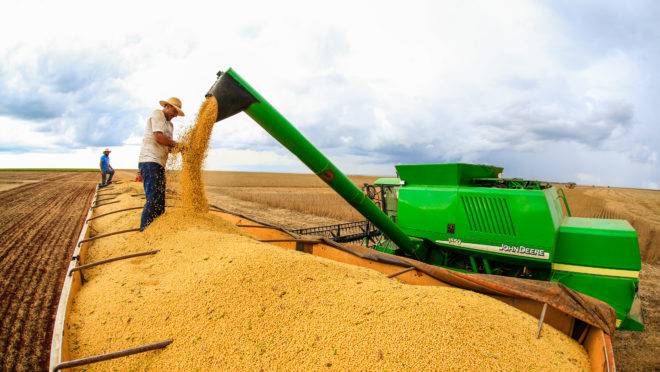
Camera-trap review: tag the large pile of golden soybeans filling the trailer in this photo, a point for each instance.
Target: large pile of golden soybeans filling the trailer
(231, 302)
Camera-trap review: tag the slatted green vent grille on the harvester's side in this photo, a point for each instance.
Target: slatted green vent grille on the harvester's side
(488, 215)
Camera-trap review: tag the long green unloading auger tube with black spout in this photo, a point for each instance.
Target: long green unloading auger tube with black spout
(235, 95)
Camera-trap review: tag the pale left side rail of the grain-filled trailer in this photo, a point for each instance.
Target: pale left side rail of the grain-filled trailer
(62, 307)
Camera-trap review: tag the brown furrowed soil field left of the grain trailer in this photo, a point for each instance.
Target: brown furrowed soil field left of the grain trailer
(41, 214)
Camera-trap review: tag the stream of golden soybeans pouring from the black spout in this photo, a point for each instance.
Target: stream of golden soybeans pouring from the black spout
(196, 142)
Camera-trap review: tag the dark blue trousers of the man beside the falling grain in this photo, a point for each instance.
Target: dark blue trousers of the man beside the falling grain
(153, 179)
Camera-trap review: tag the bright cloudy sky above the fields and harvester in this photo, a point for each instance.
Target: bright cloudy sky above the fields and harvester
(557, 90)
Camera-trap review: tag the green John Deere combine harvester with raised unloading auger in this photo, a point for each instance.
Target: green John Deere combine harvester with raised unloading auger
(465, 217)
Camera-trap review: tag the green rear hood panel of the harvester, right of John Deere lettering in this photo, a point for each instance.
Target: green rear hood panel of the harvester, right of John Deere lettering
(598, 243)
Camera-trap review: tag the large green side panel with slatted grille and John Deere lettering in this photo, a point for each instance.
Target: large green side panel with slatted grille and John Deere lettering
(483, 216)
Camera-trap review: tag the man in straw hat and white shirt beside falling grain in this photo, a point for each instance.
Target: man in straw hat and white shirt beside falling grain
(156, 147)
